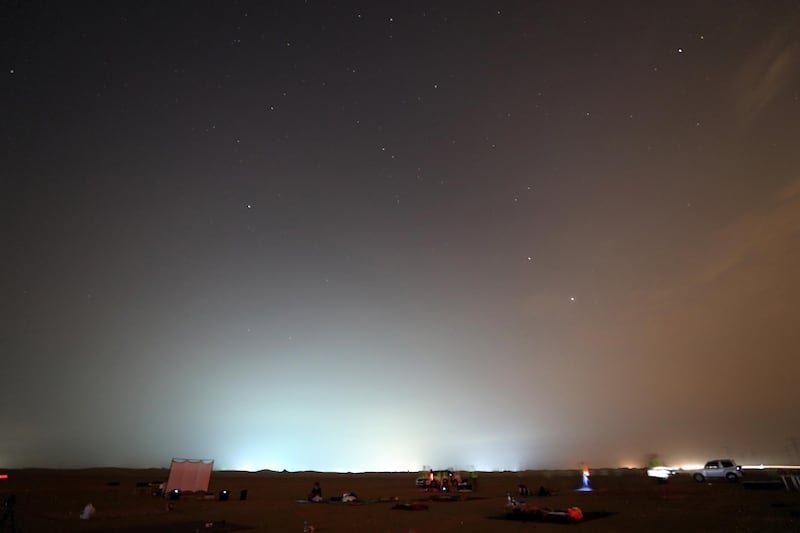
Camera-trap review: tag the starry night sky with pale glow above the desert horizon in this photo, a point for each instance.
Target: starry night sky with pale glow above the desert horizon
(351, 236)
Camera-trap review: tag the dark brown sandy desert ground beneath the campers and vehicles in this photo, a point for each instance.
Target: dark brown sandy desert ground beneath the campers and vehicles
(621, 500)
